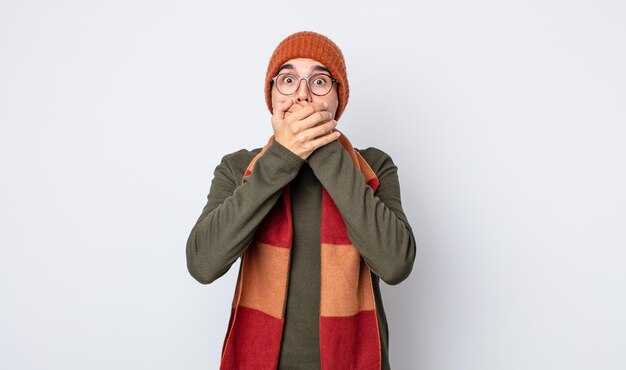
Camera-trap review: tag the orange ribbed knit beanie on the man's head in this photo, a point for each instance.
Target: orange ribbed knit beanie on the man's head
(310, 45)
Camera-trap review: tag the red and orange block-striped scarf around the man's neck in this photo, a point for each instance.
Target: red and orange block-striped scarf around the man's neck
(348, 324)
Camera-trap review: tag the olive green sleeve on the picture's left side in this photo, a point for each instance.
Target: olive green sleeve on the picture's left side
(234, 210)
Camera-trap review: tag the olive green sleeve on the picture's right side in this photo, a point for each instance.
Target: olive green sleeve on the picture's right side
(375, 222)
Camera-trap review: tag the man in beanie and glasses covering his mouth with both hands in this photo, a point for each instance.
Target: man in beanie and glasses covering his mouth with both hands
(315, 221)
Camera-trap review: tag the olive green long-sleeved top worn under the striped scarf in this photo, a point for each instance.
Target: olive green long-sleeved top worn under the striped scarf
(376, 225)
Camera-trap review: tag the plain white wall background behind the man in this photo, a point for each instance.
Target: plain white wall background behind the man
(506, 121)
